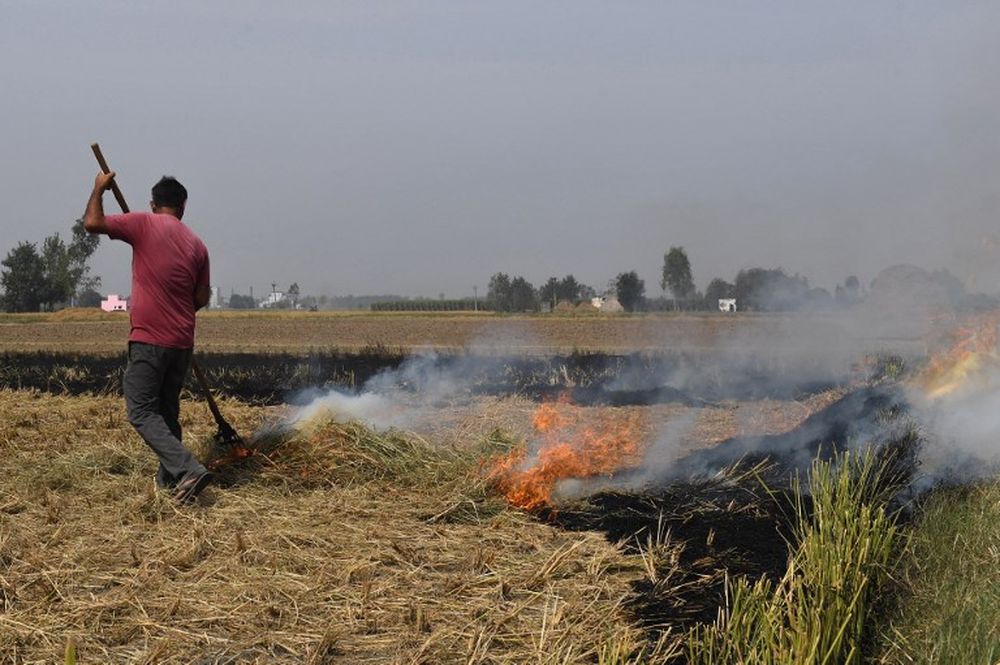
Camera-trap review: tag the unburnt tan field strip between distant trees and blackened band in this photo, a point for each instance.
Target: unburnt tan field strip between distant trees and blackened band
(92, 331)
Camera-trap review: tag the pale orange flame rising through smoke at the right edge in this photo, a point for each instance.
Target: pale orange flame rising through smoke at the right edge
(964, 363)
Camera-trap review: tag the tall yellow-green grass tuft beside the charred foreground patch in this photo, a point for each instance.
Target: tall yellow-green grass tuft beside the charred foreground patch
(817, 612)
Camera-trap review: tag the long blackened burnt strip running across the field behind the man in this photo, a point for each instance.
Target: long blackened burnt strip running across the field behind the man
(590, 379)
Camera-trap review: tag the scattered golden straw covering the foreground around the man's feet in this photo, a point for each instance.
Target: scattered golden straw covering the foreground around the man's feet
(341, 545)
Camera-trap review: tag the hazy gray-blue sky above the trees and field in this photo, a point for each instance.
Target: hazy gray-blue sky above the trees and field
(419, 147)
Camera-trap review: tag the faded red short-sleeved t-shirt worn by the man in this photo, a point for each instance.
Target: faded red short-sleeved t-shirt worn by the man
(168, 263)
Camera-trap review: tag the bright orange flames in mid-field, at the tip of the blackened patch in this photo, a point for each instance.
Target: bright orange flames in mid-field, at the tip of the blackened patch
(566, 448)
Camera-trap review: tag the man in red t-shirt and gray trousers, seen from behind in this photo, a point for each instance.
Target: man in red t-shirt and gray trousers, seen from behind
(169, 283)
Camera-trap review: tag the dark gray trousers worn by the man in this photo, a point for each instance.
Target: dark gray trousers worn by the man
(152, 387)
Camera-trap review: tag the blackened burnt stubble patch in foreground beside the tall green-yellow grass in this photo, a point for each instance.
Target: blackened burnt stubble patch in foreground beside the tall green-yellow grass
(734, 507)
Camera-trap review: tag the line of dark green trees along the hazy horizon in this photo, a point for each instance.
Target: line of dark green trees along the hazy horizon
(56, 273)
